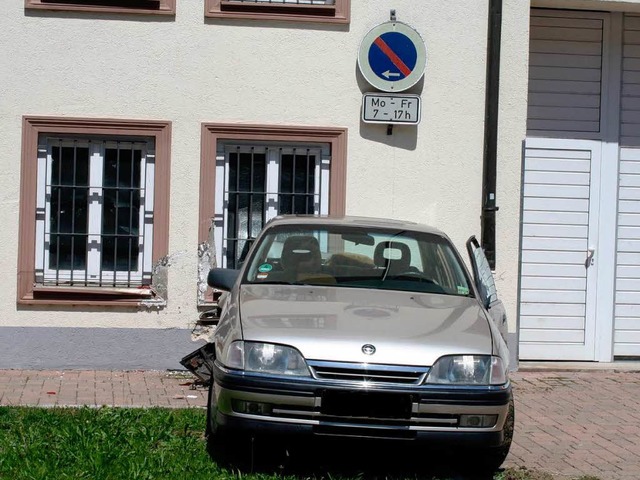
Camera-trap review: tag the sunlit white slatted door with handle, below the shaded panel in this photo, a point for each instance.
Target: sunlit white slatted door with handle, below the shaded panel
(559, 249)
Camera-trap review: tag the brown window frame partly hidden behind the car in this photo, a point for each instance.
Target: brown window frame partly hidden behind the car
(212, 133)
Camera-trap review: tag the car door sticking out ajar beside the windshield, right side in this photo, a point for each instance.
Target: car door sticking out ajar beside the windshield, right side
(486, 285)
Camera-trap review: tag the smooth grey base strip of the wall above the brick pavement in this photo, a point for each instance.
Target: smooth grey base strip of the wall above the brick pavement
(41, 348)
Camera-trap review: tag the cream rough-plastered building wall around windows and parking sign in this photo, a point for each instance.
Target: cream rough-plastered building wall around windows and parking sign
(188, 70)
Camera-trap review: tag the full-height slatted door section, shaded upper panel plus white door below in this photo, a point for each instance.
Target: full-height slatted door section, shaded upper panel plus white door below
(561, 185)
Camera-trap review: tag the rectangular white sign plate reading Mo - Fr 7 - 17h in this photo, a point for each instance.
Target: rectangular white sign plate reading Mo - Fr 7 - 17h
(402, 109)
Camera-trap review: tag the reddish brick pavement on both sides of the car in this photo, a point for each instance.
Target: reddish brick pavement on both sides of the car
(568, 423)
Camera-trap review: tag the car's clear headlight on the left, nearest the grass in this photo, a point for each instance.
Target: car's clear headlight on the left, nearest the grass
(266, 358)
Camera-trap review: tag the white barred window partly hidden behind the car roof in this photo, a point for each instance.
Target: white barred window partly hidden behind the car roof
(262, 181)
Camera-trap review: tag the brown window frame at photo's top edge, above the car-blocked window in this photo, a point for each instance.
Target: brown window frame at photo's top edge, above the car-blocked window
(339, 12)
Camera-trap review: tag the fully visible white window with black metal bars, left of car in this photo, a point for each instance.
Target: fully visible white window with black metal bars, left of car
(94, 217)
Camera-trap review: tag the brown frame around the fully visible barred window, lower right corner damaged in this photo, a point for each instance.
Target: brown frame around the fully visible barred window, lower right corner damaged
(33, 127)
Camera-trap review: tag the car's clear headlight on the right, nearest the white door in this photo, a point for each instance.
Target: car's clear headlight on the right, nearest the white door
(468, 370)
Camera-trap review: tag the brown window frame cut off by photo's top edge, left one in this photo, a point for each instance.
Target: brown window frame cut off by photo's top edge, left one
(165, 7)
